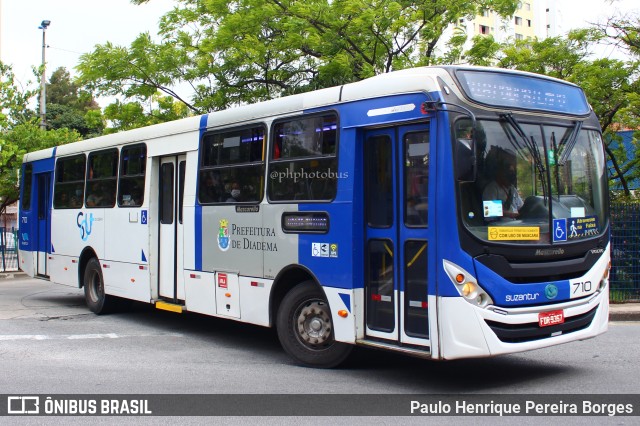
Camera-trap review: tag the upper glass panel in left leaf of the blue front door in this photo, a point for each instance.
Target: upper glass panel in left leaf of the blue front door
(379, 181)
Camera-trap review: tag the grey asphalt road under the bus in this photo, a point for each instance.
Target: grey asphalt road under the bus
(50, 343)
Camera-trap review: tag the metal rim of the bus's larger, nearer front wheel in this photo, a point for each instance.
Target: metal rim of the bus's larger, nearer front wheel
(313, 325)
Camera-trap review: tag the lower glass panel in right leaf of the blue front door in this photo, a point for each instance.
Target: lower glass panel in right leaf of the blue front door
(416, 320)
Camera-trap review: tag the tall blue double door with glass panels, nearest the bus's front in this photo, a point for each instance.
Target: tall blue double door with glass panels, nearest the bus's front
(396, 176)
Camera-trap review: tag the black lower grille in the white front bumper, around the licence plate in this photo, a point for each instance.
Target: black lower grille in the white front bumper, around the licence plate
(517, 333)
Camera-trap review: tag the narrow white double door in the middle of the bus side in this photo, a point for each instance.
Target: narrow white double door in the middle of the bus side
(170, 247)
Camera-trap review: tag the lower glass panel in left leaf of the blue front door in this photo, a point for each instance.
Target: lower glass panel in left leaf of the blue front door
(380, 300)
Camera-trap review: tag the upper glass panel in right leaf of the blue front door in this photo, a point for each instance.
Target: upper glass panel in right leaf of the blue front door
(416, 172)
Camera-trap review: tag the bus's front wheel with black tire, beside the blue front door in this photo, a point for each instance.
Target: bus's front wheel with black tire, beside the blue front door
(305, 328)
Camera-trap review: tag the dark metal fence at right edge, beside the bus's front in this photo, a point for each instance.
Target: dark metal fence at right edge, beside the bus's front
(625, 254)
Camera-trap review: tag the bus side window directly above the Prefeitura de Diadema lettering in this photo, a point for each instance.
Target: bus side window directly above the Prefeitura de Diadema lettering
(232, 169)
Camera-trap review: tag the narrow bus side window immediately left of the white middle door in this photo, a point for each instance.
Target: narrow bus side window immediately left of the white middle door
(133, 161)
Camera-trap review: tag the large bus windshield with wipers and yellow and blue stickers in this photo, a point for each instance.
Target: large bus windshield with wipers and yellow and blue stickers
(533, 177)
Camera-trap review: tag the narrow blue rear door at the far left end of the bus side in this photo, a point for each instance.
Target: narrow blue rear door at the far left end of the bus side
(43, 208)
